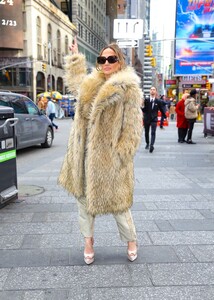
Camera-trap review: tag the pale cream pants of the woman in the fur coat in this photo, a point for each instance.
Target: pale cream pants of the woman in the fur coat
(124, 222)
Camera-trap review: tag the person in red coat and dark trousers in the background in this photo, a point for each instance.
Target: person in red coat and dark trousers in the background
(182, 123)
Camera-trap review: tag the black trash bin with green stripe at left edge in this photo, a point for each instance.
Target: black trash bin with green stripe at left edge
(8, 172)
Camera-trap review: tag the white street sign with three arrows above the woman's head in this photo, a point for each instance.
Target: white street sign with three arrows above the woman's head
(128, 29)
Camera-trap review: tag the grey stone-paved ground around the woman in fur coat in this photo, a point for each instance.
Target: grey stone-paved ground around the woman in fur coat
(41, 249)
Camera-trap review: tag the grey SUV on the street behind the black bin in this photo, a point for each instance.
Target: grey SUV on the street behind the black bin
(33, 127)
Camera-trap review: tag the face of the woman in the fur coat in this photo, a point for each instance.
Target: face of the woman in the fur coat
(109, 68)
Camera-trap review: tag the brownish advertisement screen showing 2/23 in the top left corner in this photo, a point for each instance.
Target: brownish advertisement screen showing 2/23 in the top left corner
(11, 28)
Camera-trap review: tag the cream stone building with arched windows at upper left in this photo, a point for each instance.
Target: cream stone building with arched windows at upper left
(36, 64)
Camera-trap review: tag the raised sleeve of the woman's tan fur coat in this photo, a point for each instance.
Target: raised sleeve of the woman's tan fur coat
(75, 71)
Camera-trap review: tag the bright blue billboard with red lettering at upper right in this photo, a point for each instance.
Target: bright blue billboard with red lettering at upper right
(194, 37)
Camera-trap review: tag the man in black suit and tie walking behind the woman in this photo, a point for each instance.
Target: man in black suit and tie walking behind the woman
(150, 117)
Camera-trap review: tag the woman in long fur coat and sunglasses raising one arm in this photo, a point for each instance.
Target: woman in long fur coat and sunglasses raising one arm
(98, 166)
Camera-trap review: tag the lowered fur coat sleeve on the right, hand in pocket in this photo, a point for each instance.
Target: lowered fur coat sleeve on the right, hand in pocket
(130, 137)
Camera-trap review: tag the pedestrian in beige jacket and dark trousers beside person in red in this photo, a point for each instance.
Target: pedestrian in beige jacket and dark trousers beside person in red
(191, 113)
